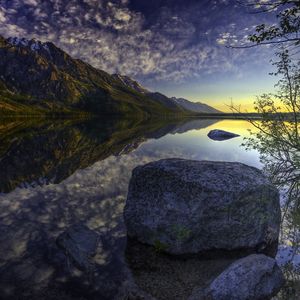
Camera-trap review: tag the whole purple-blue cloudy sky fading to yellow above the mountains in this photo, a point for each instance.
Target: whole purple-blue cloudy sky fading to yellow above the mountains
(176, 47)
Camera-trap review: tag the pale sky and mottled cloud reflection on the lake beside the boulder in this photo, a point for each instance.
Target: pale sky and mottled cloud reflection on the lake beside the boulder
(32, 218)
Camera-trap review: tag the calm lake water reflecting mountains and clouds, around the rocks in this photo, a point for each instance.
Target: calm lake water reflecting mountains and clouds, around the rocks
(56, 173)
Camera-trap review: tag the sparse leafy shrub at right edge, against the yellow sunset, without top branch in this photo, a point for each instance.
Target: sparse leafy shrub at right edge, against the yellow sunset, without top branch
(277, 138)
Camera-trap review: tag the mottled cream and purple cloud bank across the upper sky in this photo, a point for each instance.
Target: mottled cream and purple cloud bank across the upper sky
(170, 44)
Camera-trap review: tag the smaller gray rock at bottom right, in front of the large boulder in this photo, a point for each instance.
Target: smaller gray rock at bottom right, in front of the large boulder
(254, 277)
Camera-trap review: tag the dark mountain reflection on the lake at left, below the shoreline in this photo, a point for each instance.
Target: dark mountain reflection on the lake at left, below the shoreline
(49, 153)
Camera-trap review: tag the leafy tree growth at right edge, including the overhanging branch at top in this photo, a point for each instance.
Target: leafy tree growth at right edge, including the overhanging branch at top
(277, 138)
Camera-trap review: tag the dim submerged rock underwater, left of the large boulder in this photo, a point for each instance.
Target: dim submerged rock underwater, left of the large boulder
(80, 244)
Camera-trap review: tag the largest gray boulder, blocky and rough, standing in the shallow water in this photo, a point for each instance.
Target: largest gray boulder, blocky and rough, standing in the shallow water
(186, 207)
